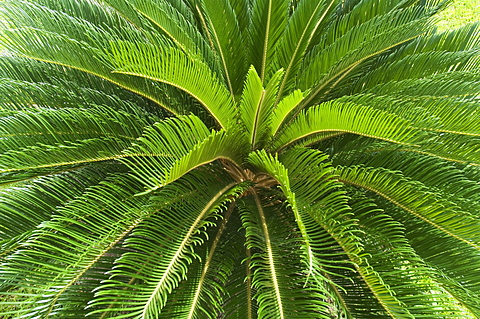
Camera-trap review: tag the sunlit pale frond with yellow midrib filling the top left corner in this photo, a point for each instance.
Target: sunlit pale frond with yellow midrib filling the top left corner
(85, 43)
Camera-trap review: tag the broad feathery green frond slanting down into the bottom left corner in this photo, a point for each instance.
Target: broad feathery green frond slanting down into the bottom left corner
(89, 237)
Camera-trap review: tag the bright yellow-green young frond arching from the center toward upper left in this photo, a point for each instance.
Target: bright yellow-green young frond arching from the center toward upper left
(172, 67)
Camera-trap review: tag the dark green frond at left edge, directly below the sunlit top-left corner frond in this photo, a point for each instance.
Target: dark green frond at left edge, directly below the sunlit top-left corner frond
(30, 83)
